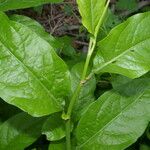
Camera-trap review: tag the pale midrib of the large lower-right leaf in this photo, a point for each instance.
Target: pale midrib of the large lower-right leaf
(112, 119)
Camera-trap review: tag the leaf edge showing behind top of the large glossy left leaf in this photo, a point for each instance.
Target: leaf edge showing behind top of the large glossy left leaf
(38, 28)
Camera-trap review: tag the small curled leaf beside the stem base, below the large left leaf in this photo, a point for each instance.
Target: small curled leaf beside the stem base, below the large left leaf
(54, 127)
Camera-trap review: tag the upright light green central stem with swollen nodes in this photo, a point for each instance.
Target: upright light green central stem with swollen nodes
(91, 48)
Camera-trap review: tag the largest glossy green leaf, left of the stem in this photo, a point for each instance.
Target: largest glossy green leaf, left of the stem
(32, 76)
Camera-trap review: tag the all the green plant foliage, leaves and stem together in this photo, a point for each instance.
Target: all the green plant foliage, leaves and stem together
(55, 97)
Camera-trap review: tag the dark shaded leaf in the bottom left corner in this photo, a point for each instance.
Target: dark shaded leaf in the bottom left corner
(20, 131)
